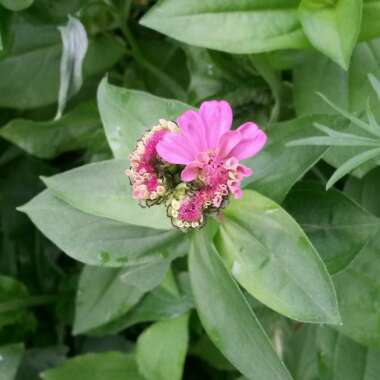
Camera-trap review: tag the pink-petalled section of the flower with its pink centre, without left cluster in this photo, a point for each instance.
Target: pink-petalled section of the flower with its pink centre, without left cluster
(209, 149)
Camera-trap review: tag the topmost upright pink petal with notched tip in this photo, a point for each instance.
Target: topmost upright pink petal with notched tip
(217, 117)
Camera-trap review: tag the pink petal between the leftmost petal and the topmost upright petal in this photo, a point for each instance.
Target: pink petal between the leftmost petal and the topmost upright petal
(193, 129)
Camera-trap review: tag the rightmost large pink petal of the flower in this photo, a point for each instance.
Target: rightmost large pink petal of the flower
(253, 140)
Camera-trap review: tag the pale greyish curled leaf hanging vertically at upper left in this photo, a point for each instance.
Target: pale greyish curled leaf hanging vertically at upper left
(75, 45)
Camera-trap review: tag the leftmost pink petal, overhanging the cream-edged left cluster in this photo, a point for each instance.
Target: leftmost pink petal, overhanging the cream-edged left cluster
(172, 149)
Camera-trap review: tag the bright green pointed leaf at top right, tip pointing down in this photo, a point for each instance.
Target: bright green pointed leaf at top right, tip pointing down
(332, 27)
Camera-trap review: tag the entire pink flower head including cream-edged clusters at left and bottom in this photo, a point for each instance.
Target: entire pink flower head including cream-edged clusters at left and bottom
(194, 167)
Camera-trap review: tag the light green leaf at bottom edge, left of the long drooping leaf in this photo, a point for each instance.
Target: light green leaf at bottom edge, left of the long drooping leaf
(161, 349)
